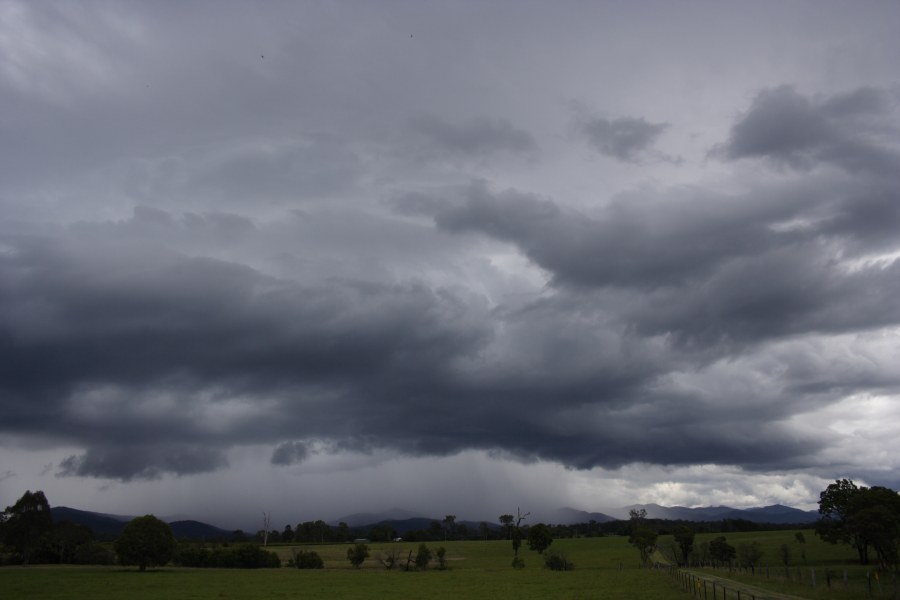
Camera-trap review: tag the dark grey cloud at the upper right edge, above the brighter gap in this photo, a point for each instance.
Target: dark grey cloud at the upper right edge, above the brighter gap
(855, 131)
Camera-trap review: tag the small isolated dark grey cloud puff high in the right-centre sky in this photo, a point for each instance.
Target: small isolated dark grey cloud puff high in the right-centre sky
(627, 139)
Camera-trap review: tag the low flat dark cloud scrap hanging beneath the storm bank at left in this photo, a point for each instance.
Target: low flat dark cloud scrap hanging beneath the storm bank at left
(144, 461)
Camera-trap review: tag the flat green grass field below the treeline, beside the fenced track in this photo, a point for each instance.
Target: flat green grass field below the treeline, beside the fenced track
(604, 568)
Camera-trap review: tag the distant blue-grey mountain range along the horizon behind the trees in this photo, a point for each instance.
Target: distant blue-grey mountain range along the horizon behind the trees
(106, 526)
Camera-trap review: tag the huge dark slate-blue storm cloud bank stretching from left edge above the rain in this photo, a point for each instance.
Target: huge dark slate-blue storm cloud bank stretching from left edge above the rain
(171, 360)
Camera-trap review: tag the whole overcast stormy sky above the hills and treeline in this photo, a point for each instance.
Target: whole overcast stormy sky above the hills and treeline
(318, 258)
